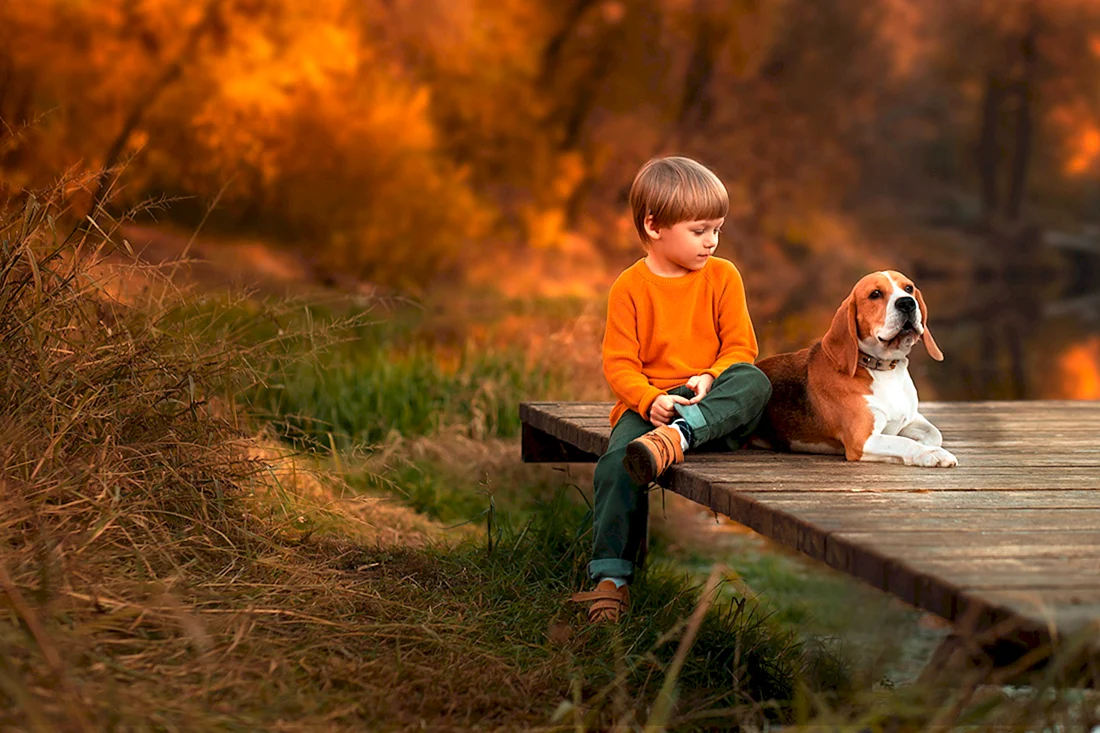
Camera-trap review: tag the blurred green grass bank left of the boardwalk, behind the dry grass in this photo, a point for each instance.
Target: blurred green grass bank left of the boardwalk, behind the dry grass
(384, 380)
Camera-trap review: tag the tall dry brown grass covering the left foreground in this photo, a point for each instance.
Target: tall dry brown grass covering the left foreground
(151, 550)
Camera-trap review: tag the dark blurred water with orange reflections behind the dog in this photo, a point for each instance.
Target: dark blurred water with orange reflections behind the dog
(1026, 329)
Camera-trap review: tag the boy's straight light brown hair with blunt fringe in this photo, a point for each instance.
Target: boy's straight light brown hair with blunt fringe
(675, 190)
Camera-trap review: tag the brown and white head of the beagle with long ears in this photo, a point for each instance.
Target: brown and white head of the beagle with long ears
(884, 316)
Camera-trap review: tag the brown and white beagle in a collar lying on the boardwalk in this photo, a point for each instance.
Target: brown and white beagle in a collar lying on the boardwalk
(851, 392)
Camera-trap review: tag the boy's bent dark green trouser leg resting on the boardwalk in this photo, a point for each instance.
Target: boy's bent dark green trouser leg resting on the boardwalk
(732, 410)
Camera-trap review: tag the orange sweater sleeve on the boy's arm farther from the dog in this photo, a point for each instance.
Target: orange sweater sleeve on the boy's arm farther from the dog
(622, 349)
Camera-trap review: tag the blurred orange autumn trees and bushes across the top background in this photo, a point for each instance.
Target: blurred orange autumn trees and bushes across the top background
(490, 141)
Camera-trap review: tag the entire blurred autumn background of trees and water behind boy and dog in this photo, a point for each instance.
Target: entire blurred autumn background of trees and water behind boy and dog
(474, 157)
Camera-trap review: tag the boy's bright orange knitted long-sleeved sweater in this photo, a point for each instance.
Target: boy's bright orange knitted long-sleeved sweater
(662, 332)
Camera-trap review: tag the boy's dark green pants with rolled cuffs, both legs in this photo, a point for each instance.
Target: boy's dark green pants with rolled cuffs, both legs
(721, 421)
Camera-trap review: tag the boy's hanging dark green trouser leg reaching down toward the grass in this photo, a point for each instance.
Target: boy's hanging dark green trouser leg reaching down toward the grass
(621, 508)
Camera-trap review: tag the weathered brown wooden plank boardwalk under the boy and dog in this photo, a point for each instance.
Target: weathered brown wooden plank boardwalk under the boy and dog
(1009, 540)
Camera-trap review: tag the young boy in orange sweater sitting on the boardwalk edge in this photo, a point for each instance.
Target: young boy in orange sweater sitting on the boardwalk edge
(678, 354)
